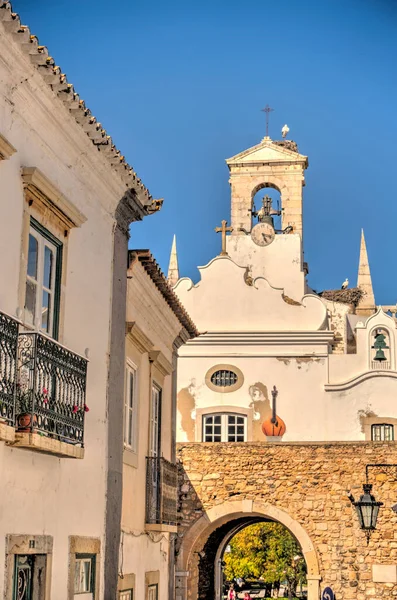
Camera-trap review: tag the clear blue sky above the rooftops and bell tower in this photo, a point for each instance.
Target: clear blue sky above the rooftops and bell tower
(179, 86)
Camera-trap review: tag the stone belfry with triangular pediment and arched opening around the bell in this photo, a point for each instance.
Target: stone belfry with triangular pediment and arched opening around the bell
(275, 164)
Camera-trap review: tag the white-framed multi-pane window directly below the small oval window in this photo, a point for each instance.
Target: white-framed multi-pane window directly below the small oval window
(224, 427)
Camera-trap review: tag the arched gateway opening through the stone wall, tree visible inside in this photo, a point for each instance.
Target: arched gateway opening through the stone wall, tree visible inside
(254, 554)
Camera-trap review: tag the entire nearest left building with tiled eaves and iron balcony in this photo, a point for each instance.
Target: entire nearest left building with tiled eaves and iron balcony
(67, 197)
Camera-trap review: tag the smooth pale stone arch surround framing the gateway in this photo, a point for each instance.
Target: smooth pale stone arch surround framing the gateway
(225, 517)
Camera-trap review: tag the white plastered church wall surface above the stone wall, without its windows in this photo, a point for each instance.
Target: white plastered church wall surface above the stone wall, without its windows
(276, 335)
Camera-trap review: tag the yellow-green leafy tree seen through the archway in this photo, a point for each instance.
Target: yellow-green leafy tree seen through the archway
(267, 551)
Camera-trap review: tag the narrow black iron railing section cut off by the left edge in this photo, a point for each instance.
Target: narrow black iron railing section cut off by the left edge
(8, 367)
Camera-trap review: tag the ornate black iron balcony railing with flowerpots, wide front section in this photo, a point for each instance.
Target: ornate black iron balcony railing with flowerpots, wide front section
(51, 389)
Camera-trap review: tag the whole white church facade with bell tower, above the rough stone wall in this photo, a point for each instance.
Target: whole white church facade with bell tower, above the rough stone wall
(262, 326)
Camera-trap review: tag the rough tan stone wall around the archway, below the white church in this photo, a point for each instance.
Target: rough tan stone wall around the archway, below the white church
(309, 482)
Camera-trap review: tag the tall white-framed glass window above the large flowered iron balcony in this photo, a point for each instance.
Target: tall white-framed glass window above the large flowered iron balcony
(43, 280)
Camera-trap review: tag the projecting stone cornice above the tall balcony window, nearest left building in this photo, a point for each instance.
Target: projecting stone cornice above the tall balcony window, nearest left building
(40, 188)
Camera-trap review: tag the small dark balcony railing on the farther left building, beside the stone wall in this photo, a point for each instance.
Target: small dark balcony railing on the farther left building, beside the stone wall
(161, 491)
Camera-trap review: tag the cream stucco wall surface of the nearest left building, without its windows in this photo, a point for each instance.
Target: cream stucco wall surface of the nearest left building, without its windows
(43, 494)
